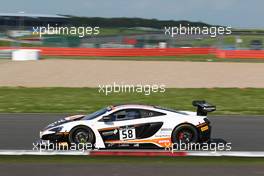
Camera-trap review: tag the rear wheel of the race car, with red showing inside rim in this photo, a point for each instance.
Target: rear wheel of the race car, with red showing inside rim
(185, 134)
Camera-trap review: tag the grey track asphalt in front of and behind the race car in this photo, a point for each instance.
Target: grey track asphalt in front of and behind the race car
(19, 131)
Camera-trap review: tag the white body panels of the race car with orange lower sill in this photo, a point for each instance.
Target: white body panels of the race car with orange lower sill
(161, 138)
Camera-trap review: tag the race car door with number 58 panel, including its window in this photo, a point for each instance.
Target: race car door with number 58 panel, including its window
(128, 125)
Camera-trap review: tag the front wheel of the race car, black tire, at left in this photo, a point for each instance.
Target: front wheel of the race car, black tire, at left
(81, 134)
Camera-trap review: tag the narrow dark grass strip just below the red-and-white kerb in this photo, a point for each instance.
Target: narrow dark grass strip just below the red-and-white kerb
(134, 160)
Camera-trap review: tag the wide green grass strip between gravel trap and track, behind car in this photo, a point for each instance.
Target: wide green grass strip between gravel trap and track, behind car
(230, 101)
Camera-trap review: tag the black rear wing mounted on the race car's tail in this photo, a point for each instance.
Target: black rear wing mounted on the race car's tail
(203, 107)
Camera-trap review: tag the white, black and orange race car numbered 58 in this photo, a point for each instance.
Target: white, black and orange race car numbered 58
(133, 125)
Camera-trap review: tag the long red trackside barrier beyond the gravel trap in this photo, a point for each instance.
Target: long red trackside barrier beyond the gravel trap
(104, 52)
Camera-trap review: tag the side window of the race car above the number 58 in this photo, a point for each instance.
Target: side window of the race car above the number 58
(127, 114)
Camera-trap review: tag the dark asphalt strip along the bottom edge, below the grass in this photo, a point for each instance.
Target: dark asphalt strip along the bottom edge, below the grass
(127, 169)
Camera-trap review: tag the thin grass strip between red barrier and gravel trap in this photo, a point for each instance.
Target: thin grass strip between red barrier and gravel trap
(190, 58)
